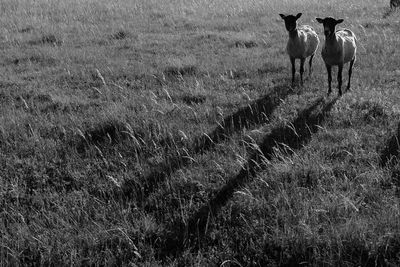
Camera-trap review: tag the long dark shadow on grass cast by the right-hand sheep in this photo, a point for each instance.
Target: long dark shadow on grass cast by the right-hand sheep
(289, 137)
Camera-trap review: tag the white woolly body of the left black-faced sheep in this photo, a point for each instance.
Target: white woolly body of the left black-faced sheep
(303, 43)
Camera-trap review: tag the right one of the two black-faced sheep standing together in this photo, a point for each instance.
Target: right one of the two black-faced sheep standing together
(339, 48)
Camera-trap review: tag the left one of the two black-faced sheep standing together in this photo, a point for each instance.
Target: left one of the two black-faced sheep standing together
(303, 42)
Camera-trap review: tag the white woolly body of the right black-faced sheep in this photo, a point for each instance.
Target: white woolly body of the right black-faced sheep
(340, 48)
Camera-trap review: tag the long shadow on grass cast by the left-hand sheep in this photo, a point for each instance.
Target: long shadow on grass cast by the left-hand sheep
(255, 113)
